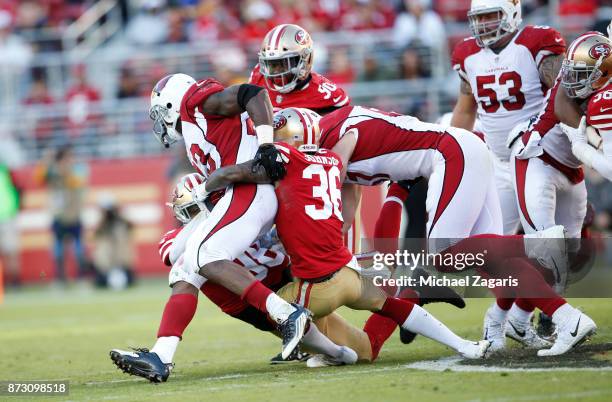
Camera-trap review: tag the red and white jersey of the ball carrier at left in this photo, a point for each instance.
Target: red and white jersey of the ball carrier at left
(214, 141)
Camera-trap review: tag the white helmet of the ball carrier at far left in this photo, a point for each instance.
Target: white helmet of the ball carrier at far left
(165, 108)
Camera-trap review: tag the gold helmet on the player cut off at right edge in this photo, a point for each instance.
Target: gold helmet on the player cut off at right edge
(587, 65)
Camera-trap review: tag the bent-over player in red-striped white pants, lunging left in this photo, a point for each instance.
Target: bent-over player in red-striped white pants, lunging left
(463, 210)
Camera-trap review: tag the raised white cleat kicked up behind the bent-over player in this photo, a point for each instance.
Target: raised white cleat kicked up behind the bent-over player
(549, 248)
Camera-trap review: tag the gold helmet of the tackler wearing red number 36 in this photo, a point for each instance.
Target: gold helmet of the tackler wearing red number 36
(298, 127)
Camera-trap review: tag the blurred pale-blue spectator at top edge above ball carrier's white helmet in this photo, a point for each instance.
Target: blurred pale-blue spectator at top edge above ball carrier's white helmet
(150, 25)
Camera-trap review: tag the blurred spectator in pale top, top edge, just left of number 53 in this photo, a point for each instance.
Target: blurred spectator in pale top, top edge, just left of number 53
(419, 24)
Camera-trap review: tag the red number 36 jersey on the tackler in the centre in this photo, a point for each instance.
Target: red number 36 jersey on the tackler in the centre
(309, 218)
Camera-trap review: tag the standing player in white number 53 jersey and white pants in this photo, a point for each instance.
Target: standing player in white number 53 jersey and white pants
(505, 71)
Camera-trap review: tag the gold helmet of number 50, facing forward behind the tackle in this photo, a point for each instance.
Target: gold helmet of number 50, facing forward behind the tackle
(285, 57)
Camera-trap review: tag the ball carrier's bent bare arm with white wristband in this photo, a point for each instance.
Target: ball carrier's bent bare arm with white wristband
(236, 99)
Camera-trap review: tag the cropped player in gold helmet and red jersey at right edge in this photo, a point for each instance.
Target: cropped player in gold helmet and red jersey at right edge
(586, 78)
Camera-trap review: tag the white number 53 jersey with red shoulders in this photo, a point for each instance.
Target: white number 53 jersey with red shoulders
(507, 86)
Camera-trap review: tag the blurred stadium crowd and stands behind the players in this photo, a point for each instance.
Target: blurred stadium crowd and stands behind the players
(76, 153)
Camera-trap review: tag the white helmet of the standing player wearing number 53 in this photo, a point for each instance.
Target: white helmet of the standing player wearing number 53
(488, 31)
